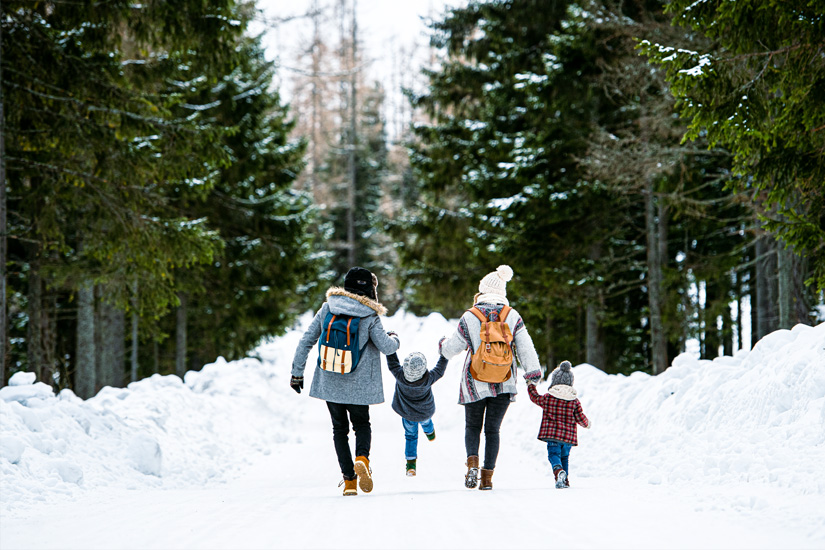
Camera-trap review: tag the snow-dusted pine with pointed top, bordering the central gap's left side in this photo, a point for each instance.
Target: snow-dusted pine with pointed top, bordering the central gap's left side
(259, 281)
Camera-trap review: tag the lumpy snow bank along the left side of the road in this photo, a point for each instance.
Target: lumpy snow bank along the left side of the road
(158, 432)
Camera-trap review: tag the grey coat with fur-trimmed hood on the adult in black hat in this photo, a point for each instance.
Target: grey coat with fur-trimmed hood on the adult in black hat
(363, 386)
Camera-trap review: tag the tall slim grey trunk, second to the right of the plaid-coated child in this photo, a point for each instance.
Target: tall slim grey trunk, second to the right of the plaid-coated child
(654, 285)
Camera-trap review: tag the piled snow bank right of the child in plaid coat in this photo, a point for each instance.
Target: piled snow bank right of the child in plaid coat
(756, 417)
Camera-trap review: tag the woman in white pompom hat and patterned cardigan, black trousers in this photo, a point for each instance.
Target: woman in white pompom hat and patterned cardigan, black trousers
(486, 402)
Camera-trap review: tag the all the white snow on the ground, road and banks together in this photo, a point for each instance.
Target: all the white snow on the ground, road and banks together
(725, 454)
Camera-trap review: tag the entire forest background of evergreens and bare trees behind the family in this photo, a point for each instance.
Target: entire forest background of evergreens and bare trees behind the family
(652, 171)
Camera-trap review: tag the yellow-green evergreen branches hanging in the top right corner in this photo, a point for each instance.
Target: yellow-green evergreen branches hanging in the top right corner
(758, 89)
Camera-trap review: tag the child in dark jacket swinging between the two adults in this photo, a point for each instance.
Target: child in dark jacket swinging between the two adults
(413, 399)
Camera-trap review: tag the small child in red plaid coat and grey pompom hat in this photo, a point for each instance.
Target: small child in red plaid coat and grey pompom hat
(561, 412)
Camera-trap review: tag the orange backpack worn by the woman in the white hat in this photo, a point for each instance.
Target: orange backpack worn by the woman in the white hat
(493, 359)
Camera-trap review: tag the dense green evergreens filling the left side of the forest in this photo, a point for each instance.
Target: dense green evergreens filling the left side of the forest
(147, 159)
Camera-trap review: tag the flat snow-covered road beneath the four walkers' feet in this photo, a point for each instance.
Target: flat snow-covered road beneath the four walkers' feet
(289, 499)
